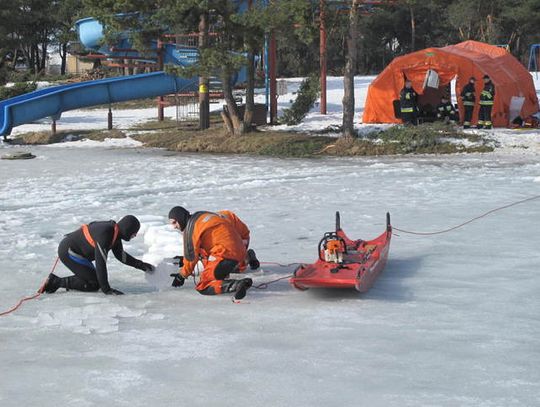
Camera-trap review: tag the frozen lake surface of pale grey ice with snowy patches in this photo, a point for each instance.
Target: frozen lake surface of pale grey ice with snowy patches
(452, 321)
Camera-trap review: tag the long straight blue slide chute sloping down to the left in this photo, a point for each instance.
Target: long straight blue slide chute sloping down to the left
(51, 102)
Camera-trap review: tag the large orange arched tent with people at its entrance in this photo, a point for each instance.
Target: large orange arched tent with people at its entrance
(460, 61)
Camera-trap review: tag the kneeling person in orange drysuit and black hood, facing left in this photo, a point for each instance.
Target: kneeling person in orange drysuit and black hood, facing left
(213, 239)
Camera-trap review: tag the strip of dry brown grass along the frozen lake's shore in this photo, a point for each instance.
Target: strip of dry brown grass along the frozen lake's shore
(432, 139)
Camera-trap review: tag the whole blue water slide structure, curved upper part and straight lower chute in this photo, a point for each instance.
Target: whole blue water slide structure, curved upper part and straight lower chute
(52, 102)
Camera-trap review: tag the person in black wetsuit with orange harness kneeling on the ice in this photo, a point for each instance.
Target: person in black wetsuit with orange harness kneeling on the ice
(90, 243)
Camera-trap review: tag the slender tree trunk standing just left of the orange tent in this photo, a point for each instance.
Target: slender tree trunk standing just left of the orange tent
(348, 77)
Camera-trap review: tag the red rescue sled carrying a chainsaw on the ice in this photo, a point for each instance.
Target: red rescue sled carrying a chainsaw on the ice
(345, 263)
